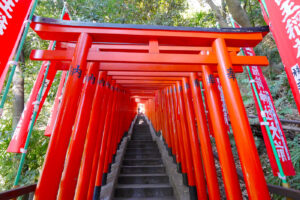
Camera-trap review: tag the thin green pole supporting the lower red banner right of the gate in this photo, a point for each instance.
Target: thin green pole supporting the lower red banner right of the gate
(281, 175)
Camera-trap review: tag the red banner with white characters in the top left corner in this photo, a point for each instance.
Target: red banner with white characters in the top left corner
(12, 16)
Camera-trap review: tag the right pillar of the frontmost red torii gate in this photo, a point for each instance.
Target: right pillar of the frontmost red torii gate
(252, 170)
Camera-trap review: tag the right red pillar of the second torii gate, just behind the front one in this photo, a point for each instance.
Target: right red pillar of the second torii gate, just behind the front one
(230, 178)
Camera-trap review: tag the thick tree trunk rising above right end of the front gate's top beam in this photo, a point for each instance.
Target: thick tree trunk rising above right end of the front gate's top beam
(238, 13)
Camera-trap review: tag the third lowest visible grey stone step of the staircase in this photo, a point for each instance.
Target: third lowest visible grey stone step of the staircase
(141, 169)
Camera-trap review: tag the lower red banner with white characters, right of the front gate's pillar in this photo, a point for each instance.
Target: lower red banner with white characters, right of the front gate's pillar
(273, 120)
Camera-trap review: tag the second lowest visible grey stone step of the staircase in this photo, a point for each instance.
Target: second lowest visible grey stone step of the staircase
(143, 179)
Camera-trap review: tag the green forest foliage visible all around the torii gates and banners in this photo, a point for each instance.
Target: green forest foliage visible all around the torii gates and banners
(156, 12)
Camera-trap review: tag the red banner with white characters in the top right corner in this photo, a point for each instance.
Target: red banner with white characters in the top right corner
(284, 21)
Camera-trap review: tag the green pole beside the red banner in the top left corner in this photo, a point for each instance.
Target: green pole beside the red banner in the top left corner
(16, 60)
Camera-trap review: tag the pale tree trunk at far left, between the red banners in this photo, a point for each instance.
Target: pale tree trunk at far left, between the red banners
(18, 94)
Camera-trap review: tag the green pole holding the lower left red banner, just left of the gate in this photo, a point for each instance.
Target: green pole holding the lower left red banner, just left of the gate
(34, 115)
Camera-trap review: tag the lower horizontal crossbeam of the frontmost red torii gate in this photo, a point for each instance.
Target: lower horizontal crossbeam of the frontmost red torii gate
(146, 58)
